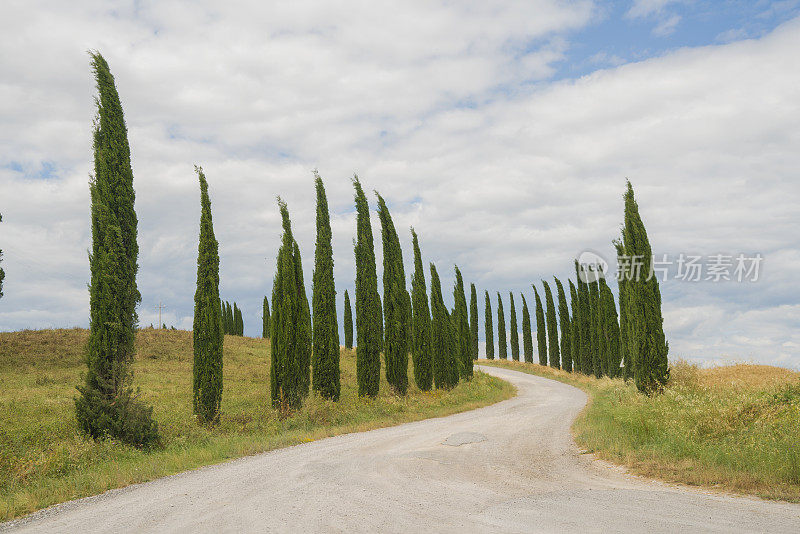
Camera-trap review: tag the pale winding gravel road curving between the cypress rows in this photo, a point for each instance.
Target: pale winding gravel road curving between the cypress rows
(509, 467)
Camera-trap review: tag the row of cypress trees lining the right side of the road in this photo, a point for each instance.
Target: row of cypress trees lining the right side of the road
(594, 339)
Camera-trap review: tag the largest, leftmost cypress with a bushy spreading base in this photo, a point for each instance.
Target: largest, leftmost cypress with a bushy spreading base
(106, 405)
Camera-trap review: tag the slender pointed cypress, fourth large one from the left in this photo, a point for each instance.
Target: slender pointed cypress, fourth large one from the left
(325, 334)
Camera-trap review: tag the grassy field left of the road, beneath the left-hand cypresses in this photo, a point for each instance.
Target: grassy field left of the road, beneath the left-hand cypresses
(44, 460)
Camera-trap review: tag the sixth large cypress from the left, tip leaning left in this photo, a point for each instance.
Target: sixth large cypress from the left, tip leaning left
(395, 309)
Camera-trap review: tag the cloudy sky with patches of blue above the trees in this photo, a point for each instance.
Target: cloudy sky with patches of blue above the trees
(502, 131)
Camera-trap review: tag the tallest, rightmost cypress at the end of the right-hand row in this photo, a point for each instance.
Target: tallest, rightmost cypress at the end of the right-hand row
(645, 322)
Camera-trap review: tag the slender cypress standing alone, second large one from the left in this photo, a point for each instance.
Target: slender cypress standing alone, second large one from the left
(207, 327)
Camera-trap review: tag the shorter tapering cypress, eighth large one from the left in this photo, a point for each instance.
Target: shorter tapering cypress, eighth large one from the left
(444, 345)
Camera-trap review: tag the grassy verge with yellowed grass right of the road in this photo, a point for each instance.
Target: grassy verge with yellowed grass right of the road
(734, 427)
